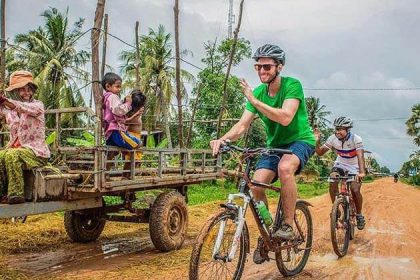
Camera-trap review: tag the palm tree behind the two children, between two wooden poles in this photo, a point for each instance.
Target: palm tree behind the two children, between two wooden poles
(157, 76)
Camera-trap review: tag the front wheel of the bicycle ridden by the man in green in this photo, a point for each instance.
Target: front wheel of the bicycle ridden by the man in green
(205, 263)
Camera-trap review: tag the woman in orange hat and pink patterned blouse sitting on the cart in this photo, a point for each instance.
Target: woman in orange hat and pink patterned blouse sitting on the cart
(26, 148)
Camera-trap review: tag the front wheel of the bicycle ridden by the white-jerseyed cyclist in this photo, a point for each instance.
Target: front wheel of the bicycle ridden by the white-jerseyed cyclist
(340, 227)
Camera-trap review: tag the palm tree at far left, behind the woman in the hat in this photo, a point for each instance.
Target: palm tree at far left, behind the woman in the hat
(50, 53)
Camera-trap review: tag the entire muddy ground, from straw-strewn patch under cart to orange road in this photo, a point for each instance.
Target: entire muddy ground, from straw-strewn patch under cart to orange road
(388, 247)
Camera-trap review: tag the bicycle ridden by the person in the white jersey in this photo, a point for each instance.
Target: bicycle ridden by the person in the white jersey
(343, 215)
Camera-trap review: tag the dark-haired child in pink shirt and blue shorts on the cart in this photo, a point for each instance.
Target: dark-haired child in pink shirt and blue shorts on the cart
(114, 116)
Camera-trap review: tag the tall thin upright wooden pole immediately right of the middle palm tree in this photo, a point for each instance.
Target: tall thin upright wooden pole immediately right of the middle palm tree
(178, 76)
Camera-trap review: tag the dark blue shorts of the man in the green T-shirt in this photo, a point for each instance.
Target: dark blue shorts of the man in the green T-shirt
(299, 148)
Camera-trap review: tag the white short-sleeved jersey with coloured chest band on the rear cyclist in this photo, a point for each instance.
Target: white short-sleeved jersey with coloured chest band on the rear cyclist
(345, 150)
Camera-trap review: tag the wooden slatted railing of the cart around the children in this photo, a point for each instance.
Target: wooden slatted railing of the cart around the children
(85, 167)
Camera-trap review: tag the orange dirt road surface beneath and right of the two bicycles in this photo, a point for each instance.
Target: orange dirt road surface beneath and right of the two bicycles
(388, 247)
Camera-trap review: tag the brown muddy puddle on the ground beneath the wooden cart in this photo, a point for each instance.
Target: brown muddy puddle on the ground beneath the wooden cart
(77, 254)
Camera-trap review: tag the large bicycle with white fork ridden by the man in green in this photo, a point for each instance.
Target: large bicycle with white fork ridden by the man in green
(215, 255)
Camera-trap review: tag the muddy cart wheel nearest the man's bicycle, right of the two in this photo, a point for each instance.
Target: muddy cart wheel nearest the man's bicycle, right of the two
(168, 221)
